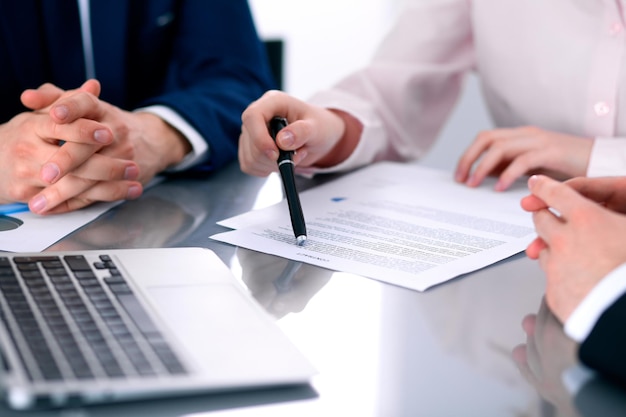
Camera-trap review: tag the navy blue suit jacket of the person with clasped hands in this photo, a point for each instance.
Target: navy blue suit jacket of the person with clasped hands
(202, 58)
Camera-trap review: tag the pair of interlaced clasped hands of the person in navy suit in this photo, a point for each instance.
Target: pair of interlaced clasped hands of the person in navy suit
(74, 149)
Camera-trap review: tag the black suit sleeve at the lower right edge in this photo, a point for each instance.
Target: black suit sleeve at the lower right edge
(605, 348)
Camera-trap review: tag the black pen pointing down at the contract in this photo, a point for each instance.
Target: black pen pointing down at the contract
(285, 166)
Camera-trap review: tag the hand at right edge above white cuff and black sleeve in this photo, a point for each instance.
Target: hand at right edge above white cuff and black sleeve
(577, 247)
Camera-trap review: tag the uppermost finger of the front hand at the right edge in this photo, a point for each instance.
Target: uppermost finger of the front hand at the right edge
(556, 195)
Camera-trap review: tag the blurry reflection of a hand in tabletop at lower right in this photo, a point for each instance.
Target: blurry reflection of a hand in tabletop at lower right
(548, 352)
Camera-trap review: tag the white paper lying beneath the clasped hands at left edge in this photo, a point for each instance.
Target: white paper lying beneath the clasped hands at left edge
(37, 232)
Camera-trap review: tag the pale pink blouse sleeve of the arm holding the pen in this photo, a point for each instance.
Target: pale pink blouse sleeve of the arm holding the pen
(406, 93)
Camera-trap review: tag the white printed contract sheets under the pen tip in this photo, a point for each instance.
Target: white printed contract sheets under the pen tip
(399, 223)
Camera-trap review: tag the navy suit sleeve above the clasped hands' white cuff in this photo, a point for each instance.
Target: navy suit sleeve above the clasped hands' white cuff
(217, 68)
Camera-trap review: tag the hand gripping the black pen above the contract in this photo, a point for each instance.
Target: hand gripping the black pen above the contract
(320, 136)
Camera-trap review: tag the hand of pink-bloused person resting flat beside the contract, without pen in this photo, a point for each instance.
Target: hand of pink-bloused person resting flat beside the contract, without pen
(511, 153)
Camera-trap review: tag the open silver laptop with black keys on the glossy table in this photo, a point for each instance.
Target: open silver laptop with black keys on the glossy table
(98, 326)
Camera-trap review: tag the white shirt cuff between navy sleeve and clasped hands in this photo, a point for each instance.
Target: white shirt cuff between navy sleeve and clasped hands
(200, 148)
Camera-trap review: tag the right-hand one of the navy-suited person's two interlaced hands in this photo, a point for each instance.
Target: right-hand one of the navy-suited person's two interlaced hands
(142, 141)
